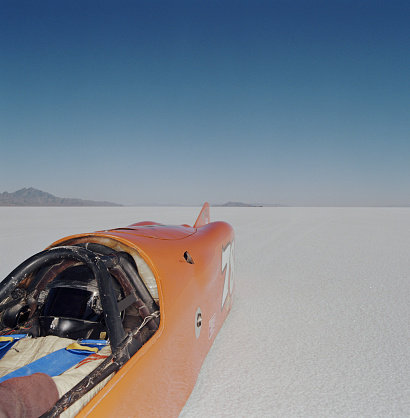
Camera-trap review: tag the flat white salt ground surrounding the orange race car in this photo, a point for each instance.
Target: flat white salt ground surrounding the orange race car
(320, 323)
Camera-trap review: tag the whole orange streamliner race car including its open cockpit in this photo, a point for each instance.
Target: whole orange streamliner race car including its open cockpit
(116, 322)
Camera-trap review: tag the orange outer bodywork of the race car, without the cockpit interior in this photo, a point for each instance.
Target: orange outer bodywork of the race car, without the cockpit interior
(193, 268)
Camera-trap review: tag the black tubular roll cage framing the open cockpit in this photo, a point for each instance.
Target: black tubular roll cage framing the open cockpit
(104, 263)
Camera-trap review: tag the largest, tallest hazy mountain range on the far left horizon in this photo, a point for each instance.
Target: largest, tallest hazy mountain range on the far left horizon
(34, 197)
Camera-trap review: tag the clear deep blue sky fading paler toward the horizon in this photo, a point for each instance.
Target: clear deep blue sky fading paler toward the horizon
(281, 101)
